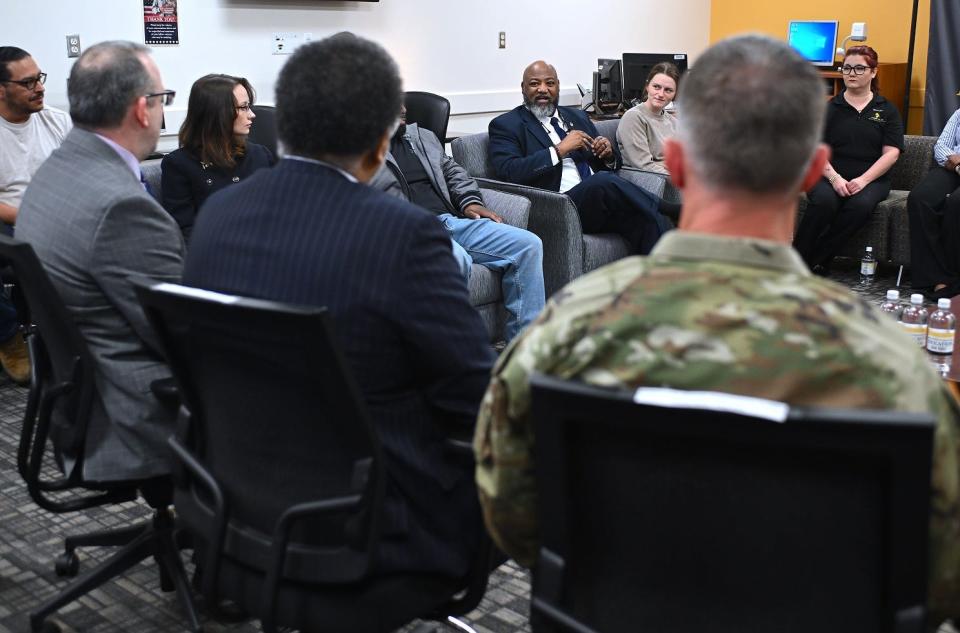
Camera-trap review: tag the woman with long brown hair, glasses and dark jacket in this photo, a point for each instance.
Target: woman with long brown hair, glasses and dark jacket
(214, 151)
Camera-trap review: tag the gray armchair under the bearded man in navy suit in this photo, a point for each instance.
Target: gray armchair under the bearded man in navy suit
(567, 252)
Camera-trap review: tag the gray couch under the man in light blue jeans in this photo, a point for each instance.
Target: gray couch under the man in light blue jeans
(485, 294)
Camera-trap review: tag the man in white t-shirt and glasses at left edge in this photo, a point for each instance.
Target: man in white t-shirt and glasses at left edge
(29, 132)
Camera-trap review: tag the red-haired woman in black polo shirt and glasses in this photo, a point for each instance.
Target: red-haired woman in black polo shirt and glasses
(865, 134)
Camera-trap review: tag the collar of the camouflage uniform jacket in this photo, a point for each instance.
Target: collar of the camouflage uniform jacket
(745, 251)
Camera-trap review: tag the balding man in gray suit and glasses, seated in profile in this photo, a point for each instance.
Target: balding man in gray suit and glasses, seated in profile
(95, 228)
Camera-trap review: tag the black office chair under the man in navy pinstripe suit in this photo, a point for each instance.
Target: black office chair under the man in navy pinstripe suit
(282, 478)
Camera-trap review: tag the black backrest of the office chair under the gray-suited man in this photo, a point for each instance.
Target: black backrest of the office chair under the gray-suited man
(63, 387)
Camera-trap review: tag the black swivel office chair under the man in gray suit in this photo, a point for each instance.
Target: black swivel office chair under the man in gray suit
(54, 433)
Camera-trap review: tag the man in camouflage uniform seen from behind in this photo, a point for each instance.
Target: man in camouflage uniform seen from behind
(724, 303)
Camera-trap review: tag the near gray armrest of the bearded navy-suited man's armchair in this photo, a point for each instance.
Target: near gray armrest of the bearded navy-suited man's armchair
(554, 219)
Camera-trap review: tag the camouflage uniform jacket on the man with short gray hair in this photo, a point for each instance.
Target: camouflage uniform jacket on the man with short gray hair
(734, 315)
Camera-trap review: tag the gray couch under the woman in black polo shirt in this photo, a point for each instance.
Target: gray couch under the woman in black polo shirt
(888, 230)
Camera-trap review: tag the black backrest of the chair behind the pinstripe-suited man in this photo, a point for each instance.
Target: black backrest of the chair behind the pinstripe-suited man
(273, 417)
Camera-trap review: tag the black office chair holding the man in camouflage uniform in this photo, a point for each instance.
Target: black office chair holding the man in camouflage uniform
(675, 518)
